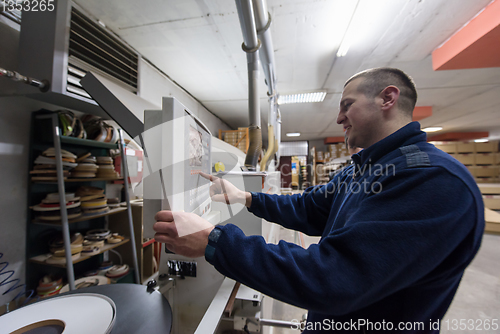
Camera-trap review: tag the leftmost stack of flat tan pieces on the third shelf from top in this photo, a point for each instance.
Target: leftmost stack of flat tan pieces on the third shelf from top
(50, 208)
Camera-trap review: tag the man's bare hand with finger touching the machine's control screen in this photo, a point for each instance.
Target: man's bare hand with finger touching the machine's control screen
(224, 191)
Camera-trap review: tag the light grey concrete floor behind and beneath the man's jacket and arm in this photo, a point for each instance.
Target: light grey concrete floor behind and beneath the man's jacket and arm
(477, 299)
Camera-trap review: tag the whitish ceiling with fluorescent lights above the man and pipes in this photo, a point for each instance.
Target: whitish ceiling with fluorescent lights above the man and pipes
(198, 44)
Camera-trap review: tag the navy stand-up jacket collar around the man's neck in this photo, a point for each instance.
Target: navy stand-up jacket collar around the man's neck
(407, 135)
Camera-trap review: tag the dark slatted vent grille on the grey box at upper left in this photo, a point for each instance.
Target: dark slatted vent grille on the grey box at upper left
(94, 46)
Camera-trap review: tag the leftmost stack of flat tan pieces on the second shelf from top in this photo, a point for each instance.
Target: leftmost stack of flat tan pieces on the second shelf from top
(45, 165)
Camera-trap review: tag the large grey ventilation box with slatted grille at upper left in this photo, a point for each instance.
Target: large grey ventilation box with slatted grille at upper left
(62, 45)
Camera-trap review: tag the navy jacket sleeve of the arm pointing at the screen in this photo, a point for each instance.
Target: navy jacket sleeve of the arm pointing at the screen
(307, 212)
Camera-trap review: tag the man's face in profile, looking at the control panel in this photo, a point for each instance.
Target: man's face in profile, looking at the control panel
(359, 116)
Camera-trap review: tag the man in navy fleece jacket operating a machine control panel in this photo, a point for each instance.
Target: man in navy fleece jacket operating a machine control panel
(398, 228)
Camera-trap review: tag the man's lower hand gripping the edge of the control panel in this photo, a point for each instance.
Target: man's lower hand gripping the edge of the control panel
(183, 233)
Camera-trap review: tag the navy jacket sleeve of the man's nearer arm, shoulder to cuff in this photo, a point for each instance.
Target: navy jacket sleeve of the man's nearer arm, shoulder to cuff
(392, 240)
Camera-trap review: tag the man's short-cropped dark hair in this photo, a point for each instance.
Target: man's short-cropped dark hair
(376, 79)
